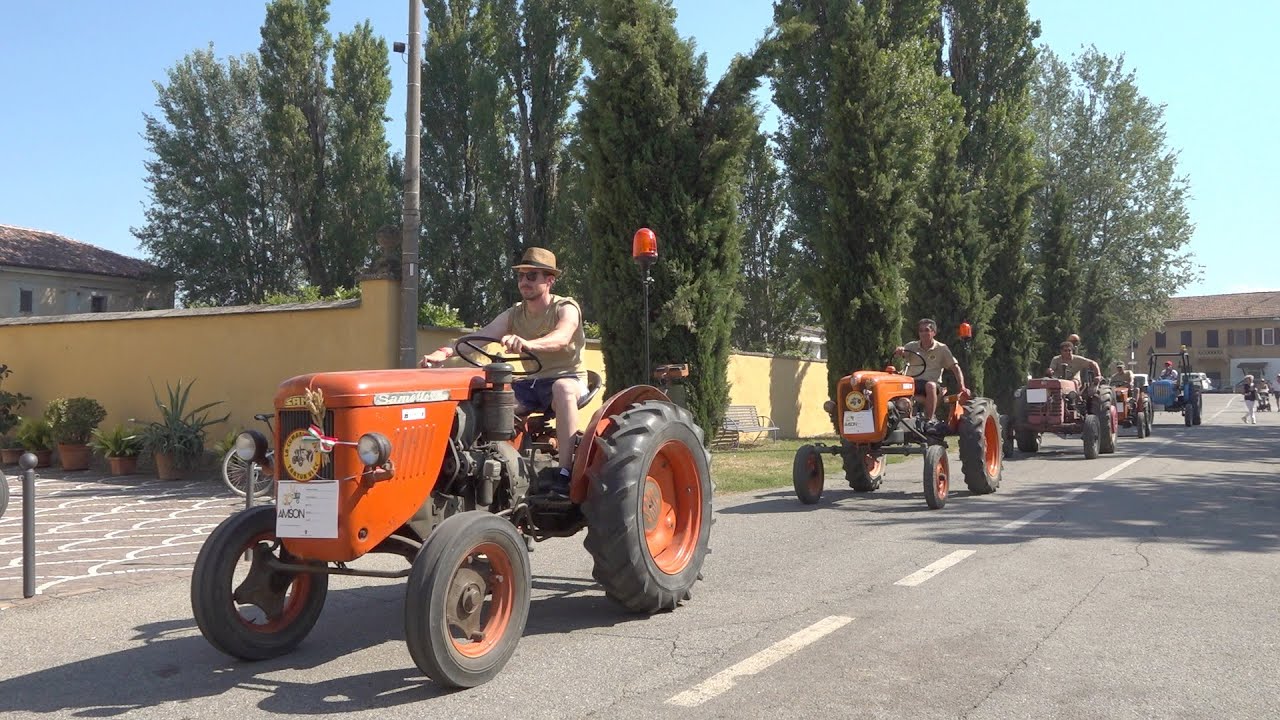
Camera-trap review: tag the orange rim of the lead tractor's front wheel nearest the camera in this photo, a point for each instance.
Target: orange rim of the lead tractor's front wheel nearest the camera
(481, 600)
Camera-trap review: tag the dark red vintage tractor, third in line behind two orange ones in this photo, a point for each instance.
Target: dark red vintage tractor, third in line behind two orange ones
(1064, 408)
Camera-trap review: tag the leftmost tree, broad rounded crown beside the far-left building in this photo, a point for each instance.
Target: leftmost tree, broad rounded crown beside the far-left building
(217, 216)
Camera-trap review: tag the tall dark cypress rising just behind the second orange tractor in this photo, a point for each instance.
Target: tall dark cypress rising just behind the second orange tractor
(853, 83)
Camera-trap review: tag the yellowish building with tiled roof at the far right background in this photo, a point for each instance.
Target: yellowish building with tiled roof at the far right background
(1227, 336)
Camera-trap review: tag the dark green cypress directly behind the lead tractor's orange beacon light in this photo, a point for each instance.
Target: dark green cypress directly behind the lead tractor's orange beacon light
(660, 152)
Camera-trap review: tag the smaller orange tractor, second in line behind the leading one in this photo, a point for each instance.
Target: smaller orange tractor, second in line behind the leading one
(877, 414)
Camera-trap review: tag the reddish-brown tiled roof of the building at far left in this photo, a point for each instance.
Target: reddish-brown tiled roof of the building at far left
(24, 248)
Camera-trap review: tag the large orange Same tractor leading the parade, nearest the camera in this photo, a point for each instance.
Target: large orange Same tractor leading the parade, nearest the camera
(436, 466)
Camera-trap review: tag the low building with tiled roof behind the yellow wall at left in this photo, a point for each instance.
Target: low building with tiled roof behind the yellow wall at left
(44, 274)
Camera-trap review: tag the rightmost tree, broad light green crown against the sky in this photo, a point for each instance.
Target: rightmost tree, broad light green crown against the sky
(1104, 144)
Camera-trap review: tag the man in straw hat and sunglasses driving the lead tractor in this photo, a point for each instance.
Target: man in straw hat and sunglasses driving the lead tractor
(552, 327)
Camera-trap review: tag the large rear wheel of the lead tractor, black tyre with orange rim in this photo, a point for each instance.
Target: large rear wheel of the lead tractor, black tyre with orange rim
(650, 508)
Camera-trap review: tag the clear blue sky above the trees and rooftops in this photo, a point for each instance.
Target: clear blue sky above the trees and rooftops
(76, 79)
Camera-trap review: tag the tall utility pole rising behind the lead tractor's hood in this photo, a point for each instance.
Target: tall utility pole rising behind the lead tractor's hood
(412, 221)
